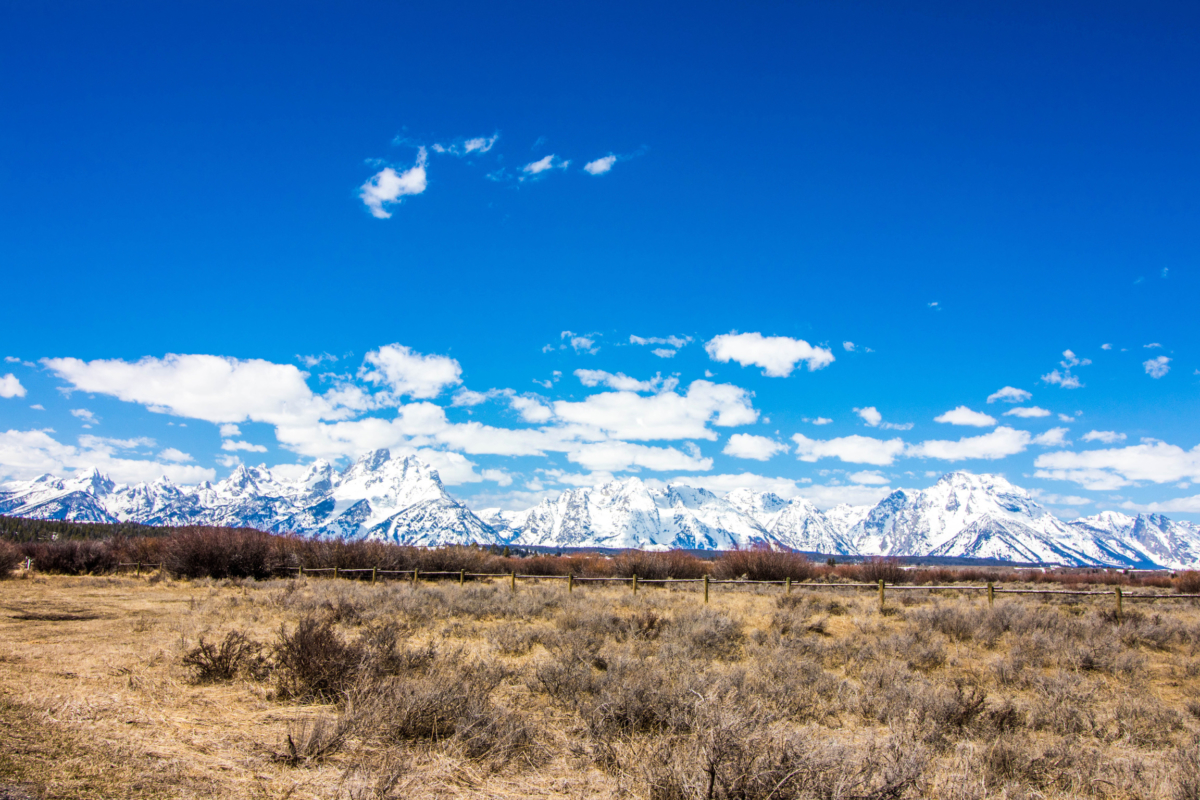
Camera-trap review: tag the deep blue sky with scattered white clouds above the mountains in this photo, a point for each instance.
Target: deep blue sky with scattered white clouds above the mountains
(200, 200)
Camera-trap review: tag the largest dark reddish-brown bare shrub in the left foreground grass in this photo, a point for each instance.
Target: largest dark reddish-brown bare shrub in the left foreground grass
(315, 663)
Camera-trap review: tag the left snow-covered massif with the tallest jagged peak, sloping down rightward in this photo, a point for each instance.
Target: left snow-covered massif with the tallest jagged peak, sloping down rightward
(379, 497)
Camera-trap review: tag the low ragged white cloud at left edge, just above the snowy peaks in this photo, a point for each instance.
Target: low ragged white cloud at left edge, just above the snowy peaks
(29, 454)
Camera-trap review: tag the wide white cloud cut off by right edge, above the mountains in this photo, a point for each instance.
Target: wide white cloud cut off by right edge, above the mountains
(1113, 468)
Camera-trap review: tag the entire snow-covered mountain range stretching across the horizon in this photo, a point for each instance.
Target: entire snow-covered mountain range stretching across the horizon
(403, 501)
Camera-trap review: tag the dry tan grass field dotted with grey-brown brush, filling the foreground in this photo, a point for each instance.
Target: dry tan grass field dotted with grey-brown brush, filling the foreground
(338, 689)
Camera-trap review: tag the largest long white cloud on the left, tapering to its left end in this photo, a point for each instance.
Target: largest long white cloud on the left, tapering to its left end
(208, 388)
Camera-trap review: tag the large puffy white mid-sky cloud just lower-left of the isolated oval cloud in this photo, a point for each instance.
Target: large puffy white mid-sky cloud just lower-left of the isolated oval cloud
(667, 416)
